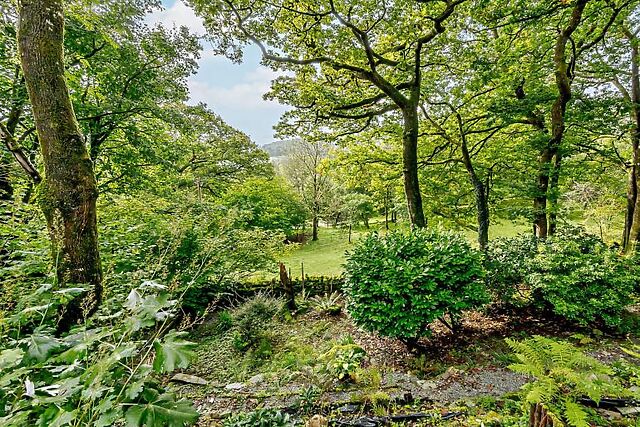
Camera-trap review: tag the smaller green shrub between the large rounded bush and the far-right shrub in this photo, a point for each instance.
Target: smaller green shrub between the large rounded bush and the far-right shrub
(507, 263)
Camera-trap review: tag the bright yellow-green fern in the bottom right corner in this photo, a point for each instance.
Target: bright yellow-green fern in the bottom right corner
(563, 375)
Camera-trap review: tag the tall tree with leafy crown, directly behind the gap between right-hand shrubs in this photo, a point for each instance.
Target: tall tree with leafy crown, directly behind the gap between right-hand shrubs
(582, 25)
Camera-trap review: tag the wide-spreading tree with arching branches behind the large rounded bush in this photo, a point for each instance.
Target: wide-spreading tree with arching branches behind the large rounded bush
(354, 61)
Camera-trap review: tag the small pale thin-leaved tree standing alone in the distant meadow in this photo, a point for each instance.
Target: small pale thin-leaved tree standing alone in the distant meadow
(303, 170)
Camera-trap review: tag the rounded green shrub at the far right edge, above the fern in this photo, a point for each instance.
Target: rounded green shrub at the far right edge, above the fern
(581, 279)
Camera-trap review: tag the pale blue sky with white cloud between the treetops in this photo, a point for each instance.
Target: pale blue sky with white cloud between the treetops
(234, 91)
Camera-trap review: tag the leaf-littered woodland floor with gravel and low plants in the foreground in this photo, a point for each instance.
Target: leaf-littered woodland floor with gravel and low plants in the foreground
(463, 377)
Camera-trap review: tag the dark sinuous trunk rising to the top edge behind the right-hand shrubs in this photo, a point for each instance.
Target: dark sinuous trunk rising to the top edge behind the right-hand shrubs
(563, 77)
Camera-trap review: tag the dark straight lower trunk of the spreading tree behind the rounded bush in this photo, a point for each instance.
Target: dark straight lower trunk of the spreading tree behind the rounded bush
(410, 167)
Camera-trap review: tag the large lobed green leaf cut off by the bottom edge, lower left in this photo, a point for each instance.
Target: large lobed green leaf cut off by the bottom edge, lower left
(163, 411)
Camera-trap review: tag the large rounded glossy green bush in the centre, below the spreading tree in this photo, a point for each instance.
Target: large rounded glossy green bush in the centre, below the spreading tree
(401, 282)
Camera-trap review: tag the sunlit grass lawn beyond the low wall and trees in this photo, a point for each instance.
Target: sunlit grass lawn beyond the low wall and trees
(326, 256)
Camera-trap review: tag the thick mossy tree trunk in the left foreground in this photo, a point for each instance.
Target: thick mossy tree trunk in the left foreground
(69, 189)
